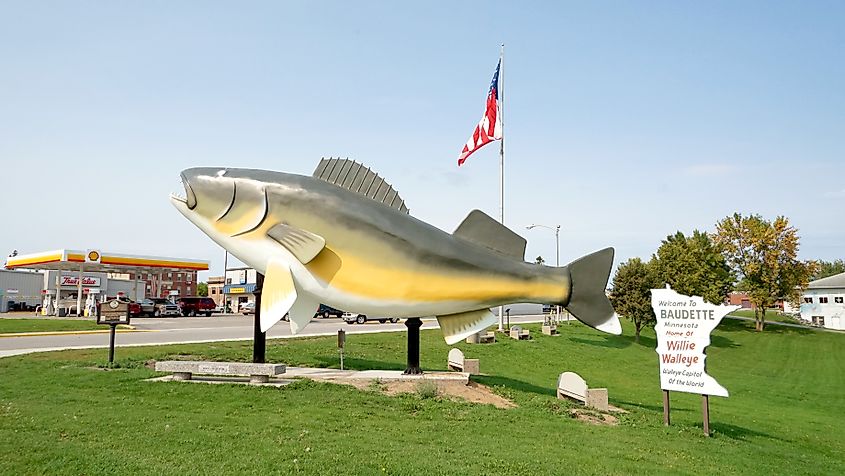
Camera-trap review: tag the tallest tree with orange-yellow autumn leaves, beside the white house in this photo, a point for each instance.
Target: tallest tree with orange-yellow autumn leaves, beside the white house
(764, 256)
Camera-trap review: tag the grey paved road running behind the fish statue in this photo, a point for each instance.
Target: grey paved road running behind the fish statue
(160, 331)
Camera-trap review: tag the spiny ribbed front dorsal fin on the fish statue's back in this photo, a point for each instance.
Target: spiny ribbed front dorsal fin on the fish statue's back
(355, 177)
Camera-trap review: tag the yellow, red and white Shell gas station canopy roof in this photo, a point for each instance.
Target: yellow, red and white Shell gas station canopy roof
(102, 261)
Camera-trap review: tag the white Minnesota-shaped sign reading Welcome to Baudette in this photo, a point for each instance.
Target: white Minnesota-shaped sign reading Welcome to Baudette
(683, 328)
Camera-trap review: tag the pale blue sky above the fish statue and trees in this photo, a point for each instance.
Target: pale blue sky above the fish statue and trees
(624, 121)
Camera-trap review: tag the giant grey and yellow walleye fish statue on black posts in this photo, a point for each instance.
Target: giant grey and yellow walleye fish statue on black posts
(343, 237)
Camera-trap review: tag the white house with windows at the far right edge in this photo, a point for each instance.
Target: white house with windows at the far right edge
(823, 303)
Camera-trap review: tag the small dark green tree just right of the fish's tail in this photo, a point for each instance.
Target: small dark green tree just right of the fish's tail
(631, 293)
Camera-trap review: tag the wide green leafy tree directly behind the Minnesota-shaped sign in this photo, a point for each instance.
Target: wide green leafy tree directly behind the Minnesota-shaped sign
(693, 265)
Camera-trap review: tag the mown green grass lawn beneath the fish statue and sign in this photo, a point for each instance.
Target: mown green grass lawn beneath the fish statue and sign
(62, 413)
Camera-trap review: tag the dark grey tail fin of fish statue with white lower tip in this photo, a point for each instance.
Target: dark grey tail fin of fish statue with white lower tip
(587, 300)
